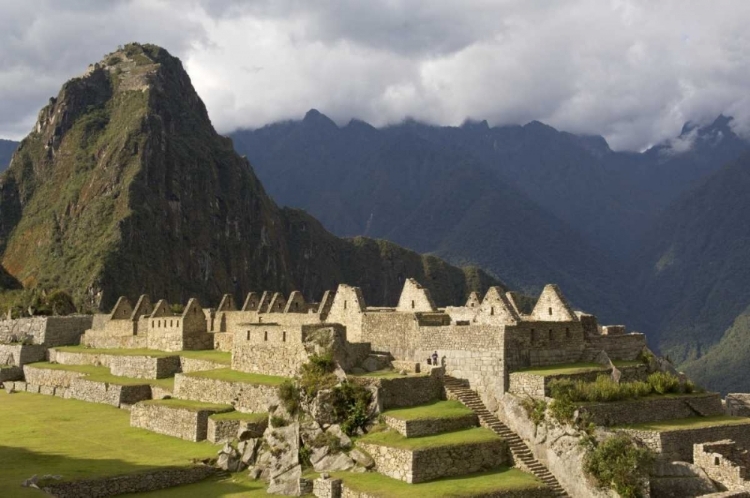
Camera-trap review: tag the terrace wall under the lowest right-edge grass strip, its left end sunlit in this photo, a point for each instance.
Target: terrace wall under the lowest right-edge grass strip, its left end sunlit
(678, 444)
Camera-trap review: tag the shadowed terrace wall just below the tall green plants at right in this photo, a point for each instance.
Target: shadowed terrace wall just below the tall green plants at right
(654, 409)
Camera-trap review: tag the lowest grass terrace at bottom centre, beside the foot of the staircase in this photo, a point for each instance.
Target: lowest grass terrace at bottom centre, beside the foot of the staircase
(502, 479)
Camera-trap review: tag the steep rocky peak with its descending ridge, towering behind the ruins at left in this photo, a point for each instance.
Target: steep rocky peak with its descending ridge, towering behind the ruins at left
(124, 187)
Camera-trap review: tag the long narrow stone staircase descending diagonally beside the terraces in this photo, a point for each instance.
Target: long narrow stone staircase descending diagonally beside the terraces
(520, 451)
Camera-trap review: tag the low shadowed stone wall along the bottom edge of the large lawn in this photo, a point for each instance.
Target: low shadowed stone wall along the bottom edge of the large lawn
(140, 482)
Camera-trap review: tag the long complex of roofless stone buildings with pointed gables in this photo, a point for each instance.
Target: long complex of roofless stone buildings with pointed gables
(482, 341)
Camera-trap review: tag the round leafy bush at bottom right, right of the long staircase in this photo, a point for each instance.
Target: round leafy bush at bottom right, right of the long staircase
(618, 463)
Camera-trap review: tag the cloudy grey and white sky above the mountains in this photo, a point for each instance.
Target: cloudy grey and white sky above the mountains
(633, 71)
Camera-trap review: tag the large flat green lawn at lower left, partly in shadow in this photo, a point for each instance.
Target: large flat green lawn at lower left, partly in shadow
(79, 440)
